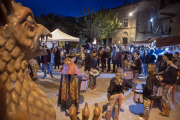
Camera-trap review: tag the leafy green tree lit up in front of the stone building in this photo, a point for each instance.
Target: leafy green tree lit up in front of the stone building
(98, 25)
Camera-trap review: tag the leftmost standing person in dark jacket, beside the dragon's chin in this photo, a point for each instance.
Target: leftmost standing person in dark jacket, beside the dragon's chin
(45, 61)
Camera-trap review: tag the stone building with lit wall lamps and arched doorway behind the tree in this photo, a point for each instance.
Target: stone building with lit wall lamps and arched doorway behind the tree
(139, 22)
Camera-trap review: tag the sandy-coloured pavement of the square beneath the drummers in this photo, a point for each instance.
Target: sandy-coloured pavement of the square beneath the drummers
(129, 110)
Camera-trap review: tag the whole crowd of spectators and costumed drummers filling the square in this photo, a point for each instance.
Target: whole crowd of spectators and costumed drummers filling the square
(160, 71)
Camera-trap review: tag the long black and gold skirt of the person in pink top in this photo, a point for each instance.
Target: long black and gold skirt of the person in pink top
(69, 91)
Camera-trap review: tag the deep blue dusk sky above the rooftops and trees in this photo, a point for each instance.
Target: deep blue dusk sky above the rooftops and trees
(69, 7)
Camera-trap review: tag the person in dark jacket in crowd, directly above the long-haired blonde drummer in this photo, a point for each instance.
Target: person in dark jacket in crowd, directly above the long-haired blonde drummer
(116, 59)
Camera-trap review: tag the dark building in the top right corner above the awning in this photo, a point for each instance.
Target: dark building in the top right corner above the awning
(169, 13)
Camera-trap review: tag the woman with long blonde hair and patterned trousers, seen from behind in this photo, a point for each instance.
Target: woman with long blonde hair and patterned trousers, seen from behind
(115, 94)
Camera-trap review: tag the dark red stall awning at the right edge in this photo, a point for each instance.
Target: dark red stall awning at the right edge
(167, 41)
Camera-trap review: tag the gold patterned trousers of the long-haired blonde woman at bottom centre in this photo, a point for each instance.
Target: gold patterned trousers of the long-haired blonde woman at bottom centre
(114, 102)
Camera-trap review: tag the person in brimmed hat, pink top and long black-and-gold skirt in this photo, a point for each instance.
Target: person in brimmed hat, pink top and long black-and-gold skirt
(69, 84)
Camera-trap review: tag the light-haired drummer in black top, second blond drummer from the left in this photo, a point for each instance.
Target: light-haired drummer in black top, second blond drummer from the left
(150, 89)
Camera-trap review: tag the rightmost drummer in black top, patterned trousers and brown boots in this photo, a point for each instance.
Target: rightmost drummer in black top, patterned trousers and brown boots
(169, 79)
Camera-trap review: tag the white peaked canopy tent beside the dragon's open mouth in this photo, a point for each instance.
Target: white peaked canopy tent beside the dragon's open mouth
(58, 35)
